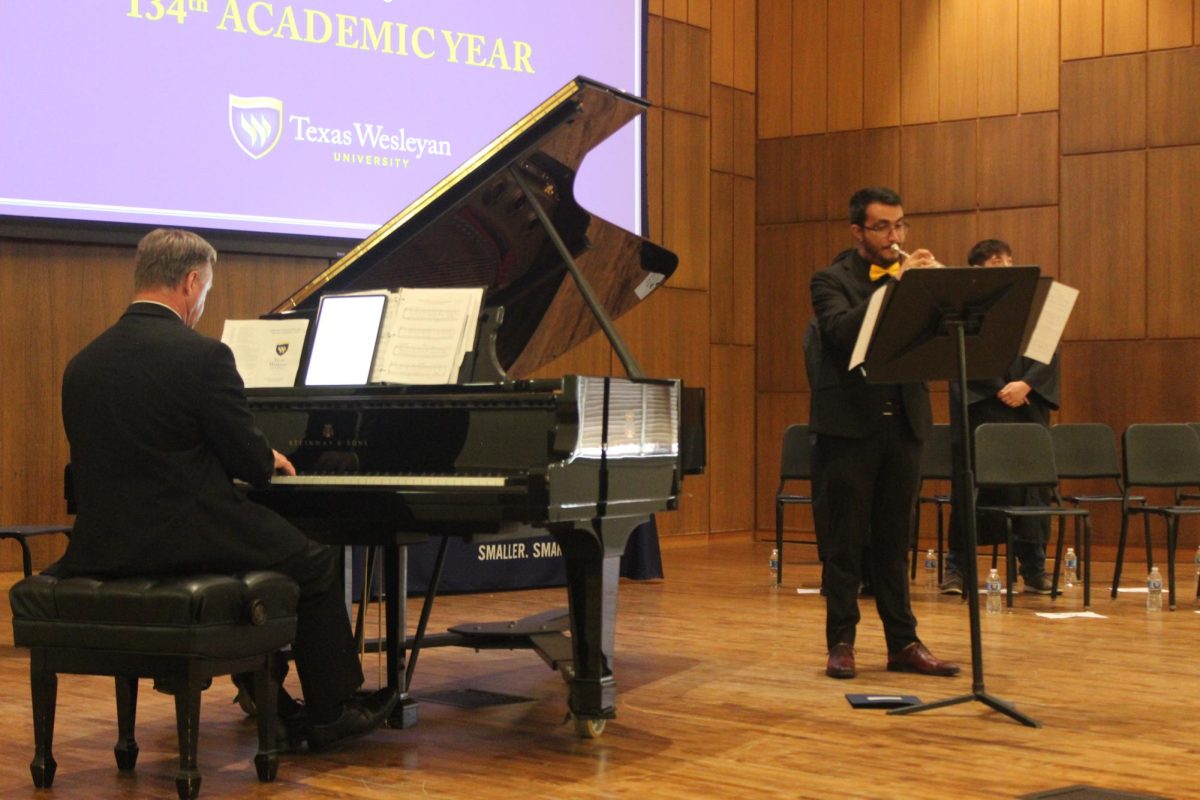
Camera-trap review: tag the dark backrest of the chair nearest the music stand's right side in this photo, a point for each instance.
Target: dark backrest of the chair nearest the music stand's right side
(1015, 454)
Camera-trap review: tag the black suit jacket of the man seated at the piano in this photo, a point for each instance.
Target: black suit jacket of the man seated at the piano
(159, 425)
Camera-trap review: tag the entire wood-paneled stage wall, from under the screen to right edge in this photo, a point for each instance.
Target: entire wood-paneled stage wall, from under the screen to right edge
(1070, 128)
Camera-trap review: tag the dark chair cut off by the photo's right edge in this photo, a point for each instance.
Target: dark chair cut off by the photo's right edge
(1167, 456)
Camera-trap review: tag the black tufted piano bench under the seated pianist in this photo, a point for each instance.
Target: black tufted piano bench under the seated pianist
(181, 631)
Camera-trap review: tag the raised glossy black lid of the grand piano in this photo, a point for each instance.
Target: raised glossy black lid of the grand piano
(477, 228)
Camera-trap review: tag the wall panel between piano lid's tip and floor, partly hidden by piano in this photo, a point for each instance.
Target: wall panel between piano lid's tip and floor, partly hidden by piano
(664, 333)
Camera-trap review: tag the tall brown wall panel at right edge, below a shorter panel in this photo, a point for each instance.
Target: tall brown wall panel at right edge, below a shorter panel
(1173, 178)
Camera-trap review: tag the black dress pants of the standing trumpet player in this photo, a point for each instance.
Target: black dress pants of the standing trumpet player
(865, 496)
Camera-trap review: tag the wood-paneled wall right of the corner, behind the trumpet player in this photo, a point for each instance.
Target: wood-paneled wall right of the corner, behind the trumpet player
(1070, 129)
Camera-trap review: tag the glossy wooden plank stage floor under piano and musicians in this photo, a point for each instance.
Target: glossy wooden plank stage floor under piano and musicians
(722, 695)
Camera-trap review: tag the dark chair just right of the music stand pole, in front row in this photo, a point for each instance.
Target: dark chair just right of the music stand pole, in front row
(1019, 455)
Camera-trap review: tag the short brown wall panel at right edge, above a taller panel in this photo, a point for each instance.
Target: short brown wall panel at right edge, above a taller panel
(1173, 115)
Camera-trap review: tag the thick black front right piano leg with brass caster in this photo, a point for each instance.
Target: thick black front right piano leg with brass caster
(593, 573)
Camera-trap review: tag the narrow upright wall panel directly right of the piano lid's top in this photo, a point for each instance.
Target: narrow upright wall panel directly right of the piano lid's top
(686, 196)
